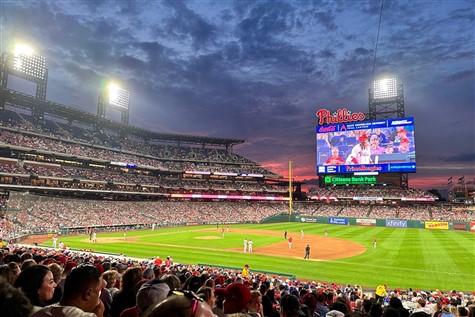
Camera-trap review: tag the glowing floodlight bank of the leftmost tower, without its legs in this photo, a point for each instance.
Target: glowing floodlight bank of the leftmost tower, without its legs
(29, 63)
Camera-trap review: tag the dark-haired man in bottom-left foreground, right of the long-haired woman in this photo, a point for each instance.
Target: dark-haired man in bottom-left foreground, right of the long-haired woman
(81, 295)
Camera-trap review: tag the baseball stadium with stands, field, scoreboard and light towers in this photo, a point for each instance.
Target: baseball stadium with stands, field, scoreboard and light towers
(78, 186)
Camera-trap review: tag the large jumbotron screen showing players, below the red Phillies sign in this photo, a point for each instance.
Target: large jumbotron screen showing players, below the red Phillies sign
(381, 146)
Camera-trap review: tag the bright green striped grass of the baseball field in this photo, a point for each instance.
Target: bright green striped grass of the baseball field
(417, 258)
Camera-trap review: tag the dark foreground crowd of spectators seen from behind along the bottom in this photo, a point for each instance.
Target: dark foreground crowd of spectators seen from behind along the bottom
(38, 281)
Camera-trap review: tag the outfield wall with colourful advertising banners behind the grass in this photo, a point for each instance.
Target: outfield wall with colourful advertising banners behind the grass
(373, 222)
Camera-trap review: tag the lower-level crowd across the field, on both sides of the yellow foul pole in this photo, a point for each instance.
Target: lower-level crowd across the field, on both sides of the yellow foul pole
(33, 214)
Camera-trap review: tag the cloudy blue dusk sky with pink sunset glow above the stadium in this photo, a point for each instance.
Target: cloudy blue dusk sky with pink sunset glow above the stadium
(259, 70)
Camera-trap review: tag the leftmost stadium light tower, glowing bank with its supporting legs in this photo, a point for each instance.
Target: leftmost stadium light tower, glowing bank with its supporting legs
(24, 63)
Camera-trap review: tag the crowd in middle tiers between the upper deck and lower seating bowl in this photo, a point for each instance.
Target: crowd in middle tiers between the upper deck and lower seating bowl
(63, 177)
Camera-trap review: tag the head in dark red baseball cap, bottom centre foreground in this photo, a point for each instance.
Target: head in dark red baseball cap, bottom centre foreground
(236, 298)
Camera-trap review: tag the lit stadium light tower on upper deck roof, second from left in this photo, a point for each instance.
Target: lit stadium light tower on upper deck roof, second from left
(116, 98)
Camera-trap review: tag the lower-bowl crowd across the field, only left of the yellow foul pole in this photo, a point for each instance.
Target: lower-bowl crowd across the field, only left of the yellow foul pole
(46, 215)
